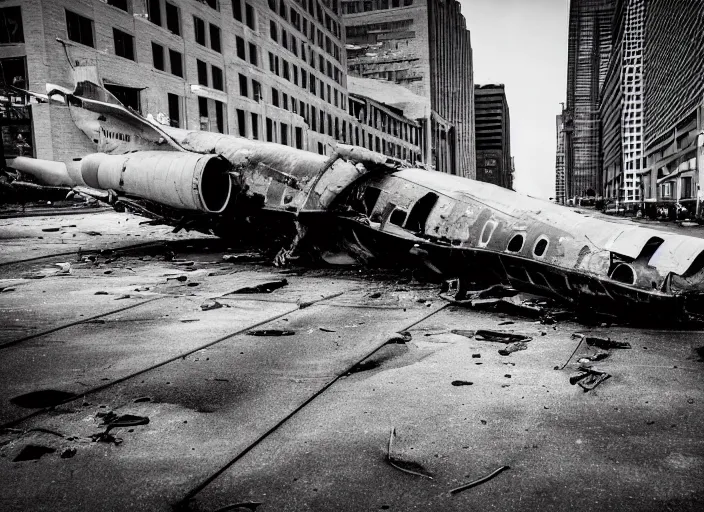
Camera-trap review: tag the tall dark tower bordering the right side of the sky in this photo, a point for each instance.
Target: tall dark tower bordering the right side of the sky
(589, 49)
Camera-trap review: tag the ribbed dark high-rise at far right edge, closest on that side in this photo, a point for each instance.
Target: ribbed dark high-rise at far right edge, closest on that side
(673, 135)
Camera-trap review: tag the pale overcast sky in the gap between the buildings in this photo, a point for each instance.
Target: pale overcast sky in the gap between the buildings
(523, 45)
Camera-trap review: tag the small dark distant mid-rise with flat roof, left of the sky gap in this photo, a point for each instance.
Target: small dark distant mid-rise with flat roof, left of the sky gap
(493, 135)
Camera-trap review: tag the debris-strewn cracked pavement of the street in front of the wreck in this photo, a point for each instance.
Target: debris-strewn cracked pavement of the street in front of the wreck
(139, 370)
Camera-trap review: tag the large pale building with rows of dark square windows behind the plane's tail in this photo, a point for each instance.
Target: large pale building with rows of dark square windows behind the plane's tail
(273, 70)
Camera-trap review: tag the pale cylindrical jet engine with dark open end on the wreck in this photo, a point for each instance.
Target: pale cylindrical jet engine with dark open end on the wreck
(182, 180)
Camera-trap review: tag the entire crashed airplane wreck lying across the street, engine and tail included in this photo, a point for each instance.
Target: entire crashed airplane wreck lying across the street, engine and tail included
(361, 206)
